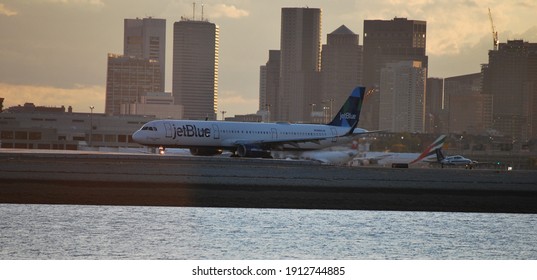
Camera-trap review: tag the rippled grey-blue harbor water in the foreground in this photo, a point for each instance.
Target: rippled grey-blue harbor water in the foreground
(126, 232)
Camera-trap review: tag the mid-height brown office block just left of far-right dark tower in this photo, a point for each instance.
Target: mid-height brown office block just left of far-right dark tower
(466, 106)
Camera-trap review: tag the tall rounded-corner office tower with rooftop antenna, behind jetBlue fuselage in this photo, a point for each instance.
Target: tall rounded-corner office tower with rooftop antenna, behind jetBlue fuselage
(195, 68)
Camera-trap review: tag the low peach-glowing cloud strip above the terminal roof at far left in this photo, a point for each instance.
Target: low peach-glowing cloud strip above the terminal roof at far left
(79, 97)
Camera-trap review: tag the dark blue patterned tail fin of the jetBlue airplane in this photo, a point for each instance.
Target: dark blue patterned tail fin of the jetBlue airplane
(349, 114)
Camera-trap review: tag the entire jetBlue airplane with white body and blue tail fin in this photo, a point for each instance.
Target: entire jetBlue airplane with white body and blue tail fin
(252, 139)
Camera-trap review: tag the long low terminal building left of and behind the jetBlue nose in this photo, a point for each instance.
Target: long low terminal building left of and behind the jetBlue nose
(31, 127)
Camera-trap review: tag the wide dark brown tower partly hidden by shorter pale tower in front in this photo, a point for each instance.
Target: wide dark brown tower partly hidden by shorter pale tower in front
(388, 41)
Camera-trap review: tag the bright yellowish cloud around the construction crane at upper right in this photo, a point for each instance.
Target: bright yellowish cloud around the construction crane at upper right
(453, 25)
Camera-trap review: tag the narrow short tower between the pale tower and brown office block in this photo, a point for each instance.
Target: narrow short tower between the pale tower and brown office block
(435, 115)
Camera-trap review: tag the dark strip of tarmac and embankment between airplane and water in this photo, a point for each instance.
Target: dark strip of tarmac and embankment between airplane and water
(77, 177)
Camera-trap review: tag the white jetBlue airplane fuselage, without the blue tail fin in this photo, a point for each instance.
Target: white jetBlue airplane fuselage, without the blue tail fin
(228, 135)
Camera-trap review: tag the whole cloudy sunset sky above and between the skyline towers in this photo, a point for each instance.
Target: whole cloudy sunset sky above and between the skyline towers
(54, 52)
